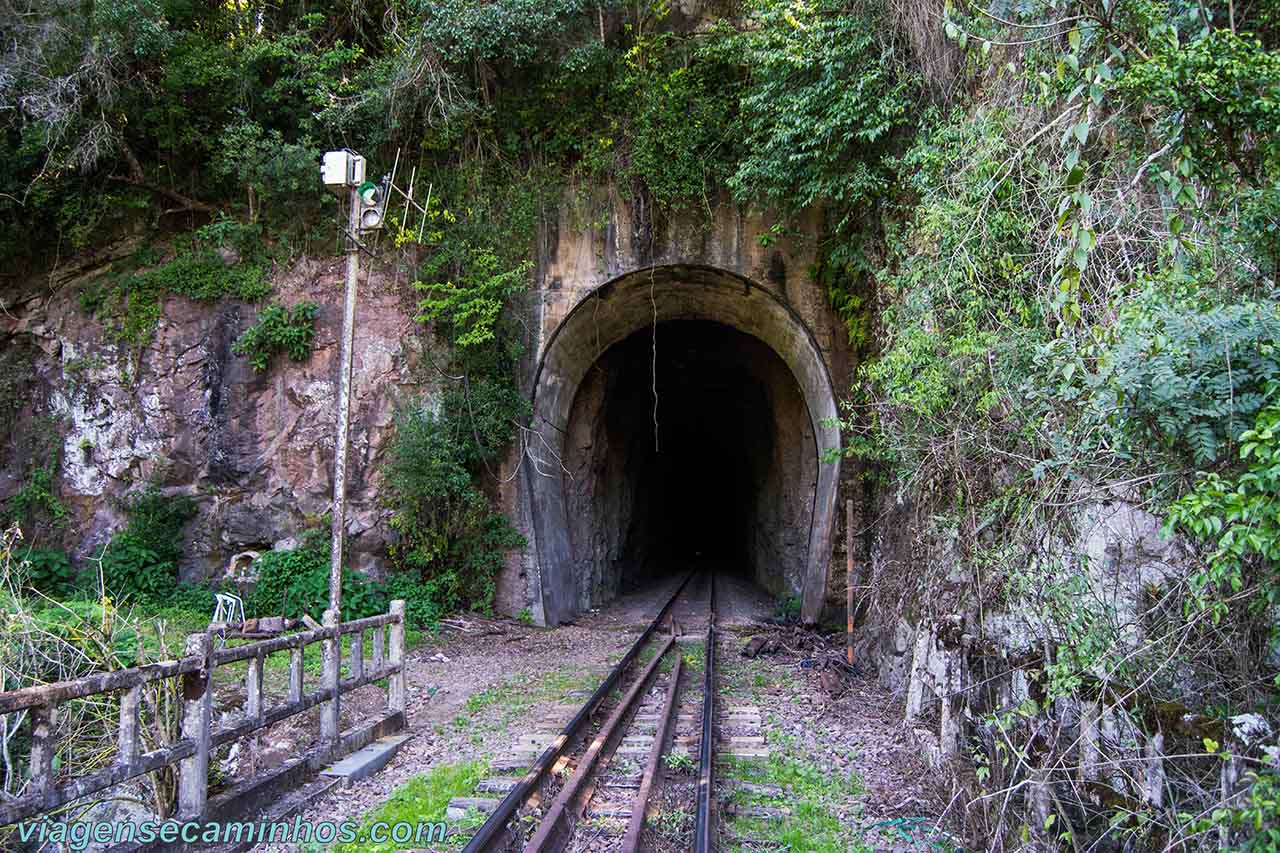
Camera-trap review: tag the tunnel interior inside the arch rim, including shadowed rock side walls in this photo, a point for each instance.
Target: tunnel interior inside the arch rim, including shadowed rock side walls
(700, 481)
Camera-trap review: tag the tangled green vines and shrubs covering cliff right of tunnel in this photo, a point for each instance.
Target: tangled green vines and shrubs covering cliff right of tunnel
(1078, 316)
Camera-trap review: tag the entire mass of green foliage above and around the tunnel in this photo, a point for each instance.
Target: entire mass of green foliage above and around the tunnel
(1052, 229)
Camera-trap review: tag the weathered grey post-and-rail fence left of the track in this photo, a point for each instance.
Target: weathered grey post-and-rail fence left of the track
(47, 792)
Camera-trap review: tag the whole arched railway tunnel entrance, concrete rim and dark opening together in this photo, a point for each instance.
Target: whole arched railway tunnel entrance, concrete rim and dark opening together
(683, 414)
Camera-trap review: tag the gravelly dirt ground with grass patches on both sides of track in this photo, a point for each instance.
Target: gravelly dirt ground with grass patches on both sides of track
(479, 687)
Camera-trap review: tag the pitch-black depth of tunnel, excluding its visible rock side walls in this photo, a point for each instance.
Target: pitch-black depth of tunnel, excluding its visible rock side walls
(697, 458)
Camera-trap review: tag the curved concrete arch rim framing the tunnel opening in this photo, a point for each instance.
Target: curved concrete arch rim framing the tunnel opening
(615, 312)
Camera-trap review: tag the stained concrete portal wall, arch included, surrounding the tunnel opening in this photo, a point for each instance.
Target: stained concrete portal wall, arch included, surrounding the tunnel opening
(597, 288)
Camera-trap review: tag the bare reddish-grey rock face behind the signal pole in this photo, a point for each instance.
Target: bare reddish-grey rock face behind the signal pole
(255, 450)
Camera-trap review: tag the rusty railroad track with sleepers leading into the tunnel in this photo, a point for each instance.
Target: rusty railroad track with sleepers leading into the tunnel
(636, 763)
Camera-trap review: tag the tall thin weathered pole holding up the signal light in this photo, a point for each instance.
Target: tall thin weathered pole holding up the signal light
(340, 451)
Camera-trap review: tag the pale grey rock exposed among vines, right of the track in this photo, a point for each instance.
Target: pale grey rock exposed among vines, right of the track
(959, 651)
